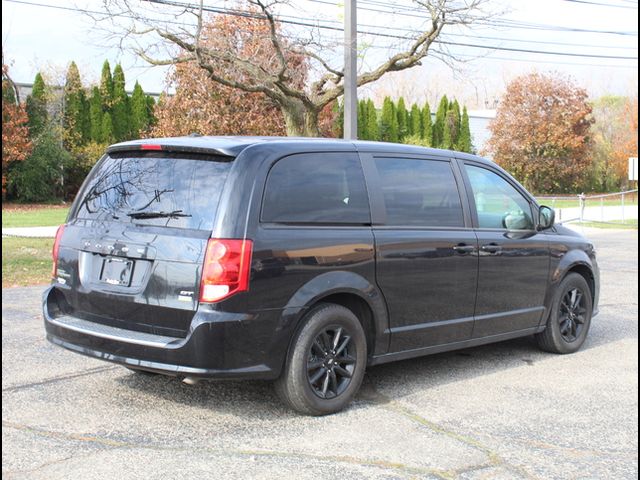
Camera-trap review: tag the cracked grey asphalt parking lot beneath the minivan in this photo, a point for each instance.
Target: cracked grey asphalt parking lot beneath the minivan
(500, 411)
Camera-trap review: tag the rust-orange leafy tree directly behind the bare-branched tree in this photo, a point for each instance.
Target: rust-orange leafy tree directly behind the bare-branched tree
(203, 105)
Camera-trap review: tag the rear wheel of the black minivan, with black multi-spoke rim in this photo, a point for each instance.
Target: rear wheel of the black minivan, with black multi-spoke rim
(326, 362)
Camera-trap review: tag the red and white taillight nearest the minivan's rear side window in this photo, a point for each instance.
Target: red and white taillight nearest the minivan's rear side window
(226, 269)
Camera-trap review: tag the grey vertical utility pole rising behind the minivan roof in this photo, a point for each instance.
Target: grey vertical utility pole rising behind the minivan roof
(350, 71)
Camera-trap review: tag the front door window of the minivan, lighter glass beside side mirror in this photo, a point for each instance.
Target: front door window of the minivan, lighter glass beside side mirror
(498, 203)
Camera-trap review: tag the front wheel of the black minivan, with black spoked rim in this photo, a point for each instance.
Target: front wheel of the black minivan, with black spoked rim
(570, 316)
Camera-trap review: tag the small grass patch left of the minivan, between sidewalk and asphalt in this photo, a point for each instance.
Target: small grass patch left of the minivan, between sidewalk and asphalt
(26, 261)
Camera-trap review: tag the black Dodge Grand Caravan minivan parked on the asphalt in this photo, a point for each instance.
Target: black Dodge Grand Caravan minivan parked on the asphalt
(306, 260)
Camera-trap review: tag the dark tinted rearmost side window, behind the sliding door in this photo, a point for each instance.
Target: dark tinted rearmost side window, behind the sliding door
(316, 188)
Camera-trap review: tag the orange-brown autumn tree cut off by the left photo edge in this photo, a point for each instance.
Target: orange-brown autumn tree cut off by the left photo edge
(16, 145)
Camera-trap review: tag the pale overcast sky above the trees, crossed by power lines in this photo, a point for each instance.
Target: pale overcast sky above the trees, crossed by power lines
(35, 37)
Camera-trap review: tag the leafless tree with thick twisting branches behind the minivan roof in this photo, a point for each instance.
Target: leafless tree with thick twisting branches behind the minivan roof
(272, 65)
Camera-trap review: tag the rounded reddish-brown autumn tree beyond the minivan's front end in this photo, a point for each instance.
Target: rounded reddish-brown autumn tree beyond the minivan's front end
(541, 133)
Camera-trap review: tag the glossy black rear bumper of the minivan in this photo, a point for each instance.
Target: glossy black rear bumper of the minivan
(218, 344)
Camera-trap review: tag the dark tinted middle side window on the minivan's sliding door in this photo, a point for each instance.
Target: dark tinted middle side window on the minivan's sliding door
(420, 193)
